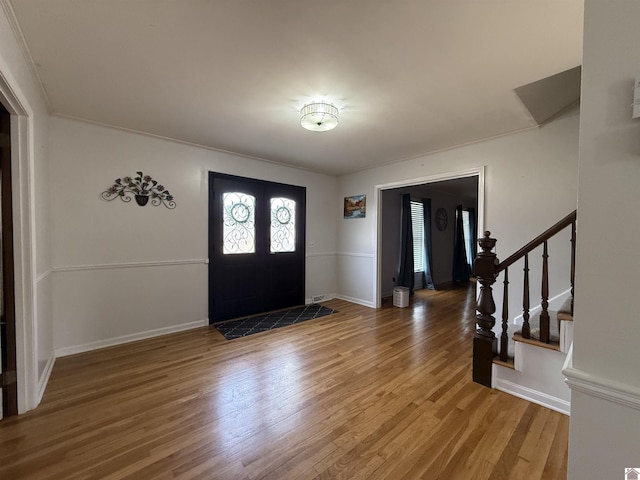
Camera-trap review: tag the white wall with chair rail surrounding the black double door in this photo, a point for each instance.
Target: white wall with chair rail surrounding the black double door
(122, 271)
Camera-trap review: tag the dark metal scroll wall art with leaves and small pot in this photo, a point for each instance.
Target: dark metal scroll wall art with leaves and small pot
(141, 188)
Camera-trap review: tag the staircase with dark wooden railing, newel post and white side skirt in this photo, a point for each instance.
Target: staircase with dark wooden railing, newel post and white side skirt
(526, 355)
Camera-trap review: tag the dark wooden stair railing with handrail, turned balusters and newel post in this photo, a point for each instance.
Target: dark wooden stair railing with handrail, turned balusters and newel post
(486, 268)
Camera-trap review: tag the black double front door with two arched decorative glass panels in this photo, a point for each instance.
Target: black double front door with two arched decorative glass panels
(256, 246)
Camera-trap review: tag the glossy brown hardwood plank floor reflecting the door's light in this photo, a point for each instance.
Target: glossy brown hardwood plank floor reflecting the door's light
(361, 394)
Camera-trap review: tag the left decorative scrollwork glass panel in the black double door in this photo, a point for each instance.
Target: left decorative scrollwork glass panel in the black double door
(238, 218)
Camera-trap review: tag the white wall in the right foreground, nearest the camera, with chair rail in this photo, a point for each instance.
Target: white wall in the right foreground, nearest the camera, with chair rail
(605, 417)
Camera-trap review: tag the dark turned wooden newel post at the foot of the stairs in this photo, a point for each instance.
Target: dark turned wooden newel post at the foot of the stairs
(484, 341)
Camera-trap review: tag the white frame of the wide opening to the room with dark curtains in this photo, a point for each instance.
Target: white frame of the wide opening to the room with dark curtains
(377, 194)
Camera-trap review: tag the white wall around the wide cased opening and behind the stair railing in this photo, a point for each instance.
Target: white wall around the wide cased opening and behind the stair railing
(530, 183)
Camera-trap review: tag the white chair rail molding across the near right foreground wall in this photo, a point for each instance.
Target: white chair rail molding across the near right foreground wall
(600, 387)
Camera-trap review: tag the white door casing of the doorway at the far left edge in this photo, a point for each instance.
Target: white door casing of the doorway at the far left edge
(30, 385)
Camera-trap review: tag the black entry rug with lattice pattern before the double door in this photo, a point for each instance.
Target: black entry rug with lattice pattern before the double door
(268, 321)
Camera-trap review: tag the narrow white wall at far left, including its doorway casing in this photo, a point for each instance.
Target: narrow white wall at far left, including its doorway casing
(20, 92)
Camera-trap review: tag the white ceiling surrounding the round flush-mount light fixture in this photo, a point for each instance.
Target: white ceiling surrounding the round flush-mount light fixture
(409, 76)
